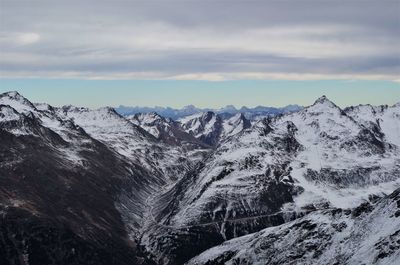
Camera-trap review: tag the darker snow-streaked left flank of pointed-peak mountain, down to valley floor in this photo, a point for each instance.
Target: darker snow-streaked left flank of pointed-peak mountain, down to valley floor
(239, 189)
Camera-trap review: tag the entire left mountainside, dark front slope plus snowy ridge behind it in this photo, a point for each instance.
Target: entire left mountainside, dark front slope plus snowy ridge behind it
(77, 181)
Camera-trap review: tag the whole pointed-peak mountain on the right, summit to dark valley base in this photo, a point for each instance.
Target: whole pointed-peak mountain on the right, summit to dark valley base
(282, 168)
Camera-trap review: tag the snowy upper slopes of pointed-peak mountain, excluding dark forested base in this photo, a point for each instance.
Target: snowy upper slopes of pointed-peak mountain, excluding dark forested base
(320, 149)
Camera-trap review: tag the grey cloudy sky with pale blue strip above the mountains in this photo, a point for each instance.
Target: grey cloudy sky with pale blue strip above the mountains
(209, 41)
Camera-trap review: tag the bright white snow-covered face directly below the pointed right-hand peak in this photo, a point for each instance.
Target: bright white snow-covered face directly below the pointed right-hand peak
(341, 161)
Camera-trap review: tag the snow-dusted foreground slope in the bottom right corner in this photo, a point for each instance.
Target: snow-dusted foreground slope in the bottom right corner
(369, 234)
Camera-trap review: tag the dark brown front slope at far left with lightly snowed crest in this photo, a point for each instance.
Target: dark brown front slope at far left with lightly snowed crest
(59, 190)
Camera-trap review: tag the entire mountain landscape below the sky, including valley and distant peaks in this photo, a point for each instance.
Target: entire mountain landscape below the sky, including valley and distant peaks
(312, 185)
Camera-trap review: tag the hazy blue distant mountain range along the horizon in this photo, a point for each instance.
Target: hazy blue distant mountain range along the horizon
(228, 111)
